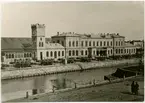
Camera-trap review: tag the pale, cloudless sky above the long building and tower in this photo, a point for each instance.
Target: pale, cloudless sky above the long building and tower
(123, 17)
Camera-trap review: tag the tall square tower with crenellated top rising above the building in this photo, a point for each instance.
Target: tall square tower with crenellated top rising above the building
(38, 40)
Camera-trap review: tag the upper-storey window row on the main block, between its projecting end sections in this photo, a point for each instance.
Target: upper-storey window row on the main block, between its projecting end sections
(97, 43)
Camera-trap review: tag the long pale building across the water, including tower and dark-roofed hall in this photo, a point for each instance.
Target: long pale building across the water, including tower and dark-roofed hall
(64, 45)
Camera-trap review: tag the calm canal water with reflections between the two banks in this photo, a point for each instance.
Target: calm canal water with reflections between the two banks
(12, 89)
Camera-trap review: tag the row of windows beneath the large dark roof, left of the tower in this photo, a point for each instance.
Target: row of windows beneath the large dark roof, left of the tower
(22, 55)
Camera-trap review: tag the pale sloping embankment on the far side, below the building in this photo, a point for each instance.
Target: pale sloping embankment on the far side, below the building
(46, 70)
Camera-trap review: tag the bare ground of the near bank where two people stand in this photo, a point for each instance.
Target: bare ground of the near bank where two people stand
(110, 92)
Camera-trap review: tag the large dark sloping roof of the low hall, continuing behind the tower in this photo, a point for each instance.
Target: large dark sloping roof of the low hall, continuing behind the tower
(12, 43)
